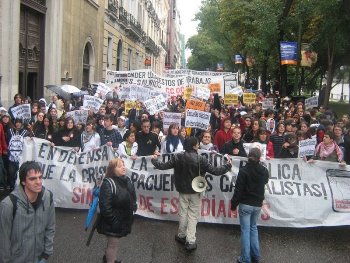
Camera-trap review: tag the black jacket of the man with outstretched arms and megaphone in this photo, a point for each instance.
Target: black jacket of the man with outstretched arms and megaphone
(186, 167)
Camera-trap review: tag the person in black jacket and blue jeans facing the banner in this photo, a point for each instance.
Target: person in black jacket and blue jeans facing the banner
(249, 194)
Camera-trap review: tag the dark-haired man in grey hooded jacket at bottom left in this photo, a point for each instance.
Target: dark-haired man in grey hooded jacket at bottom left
(27, 221)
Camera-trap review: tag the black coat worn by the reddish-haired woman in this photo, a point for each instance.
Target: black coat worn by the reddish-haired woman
(117, 207)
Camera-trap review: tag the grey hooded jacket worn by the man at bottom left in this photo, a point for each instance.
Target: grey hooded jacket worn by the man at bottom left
(29, 235)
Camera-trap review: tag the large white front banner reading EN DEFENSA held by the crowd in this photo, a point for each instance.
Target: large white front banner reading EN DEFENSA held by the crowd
(298, 194)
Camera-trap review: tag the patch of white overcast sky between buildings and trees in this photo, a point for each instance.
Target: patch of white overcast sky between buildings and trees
(188, 8)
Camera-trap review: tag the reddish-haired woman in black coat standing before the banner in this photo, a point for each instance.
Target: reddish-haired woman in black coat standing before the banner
(117, 202)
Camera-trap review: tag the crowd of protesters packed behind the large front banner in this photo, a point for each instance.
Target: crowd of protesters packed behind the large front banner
(137, 133)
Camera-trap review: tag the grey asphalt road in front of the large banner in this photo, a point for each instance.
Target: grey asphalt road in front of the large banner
(153, 241)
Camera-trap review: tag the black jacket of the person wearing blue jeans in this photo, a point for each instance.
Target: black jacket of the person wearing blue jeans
(250, 185)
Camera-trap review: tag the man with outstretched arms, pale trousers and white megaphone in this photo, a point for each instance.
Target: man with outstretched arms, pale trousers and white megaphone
(188, 166)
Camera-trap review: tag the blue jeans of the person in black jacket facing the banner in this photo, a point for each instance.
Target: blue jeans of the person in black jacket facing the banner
(250, 250)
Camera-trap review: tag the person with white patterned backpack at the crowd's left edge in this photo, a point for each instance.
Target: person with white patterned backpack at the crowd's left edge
(15, 146)
